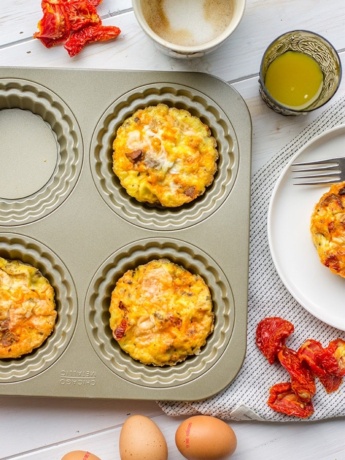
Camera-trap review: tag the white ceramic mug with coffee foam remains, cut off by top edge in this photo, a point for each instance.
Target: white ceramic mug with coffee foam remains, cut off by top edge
(188, 28)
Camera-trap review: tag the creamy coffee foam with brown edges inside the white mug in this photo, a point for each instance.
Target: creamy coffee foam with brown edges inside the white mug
(188, 22)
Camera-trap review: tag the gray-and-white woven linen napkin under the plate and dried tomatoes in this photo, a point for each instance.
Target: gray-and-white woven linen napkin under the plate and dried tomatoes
(246, 397)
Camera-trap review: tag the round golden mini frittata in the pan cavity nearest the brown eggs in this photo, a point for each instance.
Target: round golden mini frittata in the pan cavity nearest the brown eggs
(160, 313)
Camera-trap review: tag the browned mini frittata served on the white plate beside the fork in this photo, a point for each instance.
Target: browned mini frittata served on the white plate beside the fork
(328, 229)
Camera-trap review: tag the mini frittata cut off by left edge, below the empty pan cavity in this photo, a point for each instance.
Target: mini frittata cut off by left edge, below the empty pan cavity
(27, 308)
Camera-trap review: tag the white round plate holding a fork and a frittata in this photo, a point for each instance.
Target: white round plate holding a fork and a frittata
(296, 260)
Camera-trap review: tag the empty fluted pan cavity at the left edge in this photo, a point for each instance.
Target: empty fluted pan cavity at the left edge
(41, 152)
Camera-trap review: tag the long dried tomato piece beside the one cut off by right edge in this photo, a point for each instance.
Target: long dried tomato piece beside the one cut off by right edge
(322, 363)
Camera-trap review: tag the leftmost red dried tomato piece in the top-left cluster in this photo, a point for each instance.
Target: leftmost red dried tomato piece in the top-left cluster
(54, 27)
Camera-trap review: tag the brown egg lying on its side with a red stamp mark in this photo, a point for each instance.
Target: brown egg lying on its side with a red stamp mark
(203, 437)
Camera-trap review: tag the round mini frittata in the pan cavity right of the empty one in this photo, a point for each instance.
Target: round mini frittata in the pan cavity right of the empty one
(164, 156)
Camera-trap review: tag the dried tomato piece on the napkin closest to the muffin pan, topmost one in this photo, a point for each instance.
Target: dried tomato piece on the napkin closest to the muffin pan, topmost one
(271, 334)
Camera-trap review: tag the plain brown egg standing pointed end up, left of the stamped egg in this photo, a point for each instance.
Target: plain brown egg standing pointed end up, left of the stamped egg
(141, 439)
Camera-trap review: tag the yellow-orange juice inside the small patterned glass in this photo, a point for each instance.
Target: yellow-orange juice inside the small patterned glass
(294, 80)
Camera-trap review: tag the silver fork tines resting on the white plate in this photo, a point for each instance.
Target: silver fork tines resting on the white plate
(320, 172)
